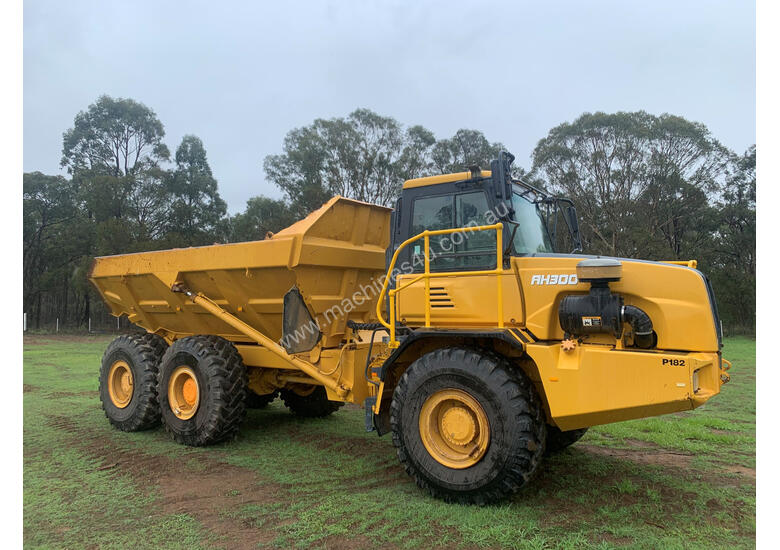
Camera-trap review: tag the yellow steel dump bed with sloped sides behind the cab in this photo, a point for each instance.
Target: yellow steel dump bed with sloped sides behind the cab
(330, 255)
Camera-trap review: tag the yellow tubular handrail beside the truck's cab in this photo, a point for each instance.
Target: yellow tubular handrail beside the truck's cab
(427, 275)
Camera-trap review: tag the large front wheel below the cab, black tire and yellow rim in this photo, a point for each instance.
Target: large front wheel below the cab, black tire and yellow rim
(467, 426)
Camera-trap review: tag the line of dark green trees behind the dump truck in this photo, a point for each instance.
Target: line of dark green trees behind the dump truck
(645, 186)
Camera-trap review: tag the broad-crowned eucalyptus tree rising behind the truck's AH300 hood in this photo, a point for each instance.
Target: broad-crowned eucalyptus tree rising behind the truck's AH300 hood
(643, 184)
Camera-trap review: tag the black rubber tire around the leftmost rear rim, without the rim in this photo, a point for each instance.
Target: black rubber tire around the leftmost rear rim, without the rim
(142, 353)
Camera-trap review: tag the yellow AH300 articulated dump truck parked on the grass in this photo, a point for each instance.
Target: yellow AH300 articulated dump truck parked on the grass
(464, 320)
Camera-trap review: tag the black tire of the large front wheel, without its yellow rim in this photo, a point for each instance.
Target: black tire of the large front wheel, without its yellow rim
(513, 410)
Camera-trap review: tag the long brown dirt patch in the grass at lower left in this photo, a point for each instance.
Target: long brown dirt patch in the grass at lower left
(205, 492)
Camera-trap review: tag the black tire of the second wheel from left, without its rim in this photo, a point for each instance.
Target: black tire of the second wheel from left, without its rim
(222, 382)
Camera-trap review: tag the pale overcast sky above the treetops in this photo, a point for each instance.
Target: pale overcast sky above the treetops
(241, 74)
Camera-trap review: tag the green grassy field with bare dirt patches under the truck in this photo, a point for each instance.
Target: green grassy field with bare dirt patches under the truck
(678, 481)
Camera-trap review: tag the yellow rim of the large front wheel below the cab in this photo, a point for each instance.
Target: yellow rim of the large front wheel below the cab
(454, 428)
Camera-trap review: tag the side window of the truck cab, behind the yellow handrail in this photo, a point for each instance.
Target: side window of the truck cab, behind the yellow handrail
(463, 250)
